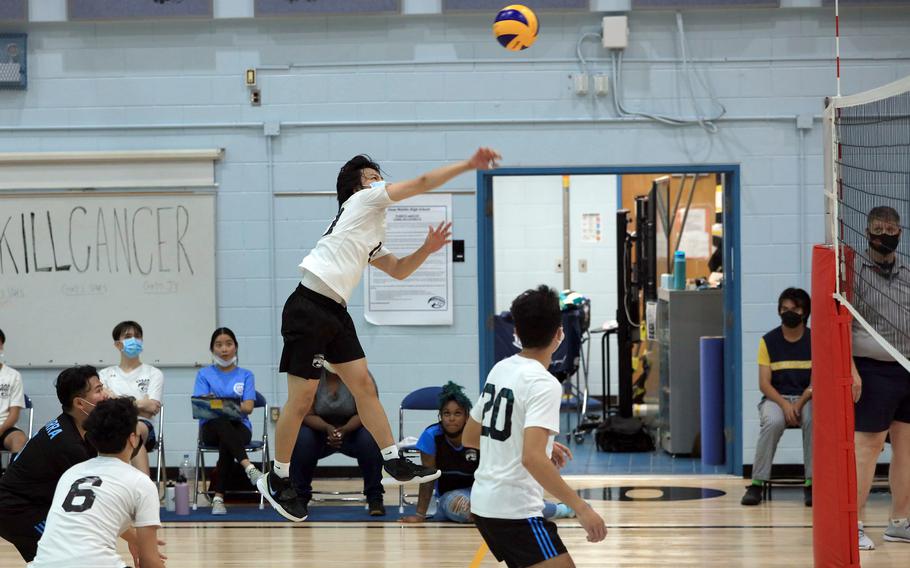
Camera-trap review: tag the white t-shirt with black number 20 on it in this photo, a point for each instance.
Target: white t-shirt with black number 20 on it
(519, 393)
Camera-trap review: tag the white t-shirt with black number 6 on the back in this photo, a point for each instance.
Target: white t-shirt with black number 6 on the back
(95, 502)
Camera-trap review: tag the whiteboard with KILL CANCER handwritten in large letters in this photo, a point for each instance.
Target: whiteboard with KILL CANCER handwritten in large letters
(74, 265)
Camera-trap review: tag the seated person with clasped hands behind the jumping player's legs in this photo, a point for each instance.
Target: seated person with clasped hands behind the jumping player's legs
(333, 425)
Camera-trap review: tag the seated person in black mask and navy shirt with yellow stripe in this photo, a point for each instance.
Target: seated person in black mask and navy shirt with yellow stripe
(784, 377)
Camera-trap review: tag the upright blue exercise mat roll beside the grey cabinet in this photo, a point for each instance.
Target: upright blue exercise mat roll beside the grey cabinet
(711, 356)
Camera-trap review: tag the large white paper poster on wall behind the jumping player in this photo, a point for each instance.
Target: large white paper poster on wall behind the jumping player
(425, 297)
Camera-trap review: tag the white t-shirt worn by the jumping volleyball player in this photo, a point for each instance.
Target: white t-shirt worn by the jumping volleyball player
(353, 239)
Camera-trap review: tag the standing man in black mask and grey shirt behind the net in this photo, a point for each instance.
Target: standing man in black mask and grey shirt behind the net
(881, 385)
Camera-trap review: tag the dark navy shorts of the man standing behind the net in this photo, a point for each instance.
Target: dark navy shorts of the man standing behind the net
(885, 397)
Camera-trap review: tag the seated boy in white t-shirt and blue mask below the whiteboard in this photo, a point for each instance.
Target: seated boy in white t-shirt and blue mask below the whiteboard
(134, 378)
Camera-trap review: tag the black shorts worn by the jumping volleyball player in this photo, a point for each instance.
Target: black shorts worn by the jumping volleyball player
(315, 329)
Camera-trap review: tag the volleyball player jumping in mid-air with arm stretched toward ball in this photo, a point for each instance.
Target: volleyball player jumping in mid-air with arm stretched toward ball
(317, 328)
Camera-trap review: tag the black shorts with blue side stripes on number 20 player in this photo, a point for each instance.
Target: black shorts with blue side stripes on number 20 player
(520, 542)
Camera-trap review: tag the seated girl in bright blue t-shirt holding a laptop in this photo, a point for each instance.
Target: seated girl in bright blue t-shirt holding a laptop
(224, 379)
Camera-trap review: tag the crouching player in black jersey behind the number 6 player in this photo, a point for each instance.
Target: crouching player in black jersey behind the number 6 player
(27, 488)
